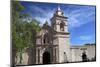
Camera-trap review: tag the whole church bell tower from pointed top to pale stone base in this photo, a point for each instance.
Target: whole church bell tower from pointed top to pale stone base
(60, 25)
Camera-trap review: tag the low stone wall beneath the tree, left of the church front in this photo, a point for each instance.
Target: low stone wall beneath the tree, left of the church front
(28, 57)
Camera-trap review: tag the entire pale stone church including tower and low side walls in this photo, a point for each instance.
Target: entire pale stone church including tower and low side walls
(53, 44)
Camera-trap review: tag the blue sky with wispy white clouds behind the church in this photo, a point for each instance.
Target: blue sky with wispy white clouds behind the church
(81, 19)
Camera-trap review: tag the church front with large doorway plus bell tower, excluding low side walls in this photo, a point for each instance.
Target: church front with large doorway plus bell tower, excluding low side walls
(53, 41)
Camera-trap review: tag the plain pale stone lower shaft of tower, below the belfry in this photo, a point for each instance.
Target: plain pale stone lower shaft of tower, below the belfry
(64, 48)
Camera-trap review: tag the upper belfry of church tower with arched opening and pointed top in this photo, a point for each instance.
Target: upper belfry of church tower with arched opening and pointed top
(58, 21)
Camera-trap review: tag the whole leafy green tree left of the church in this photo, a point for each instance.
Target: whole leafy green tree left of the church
(23, 32)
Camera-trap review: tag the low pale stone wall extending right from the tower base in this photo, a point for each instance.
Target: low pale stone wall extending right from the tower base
(76, 52)
